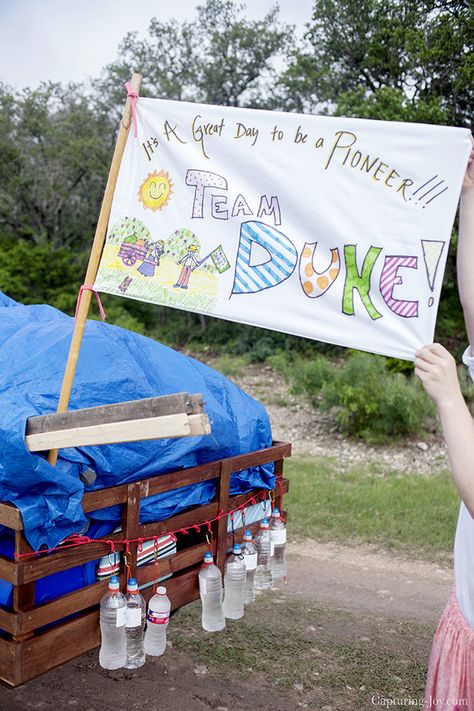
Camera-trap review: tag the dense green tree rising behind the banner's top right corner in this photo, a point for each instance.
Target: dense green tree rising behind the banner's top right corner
(396, 59)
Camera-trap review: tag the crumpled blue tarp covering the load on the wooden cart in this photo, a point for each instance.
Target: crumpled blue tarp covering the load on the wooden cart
(114, 365)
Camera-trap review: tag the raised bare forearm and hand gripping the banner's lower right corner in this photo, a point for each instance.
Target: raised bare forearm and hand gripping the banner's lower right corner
(437, 370)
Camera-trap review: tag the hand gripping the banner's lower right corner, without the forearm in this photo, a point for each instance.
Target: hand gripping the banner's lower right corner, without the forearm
(436, 369)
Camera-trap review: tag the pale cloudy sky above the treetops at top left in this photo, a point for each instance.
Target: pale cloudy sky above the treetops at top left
(71, 40)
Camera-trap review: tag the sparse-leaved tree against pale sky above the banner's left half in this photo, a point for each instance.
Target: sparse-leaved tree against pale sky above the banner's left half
(220, 58)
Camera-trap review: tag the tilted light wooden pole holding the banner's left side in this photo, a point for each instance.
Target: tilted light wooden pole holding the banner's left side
(94, 259)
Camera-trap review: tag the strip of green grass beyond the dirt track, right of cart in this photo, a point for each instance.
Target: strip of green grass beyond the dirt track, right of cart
(408, 513)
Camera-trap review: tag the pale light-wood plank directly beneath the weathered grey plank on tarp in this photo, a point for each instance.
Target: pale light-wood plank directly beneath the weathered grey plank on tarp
(180, 425)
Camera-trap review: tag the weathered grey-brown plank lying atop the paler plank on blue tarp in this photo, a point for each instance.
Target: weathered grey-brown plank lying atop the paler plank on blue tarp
(177, 403)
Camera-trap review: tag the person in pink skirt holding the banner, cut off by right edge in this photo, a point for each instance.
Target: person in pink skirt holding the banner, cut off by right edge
(451, 670)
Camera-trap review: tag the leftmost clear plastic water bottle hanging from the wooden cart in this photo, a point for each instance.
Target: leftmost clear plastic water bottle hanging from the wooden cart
(113, 611)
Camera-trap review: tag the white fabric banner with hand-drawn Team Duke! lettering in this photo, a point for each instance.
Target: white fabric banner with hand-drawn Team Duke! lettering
(334, 229)
